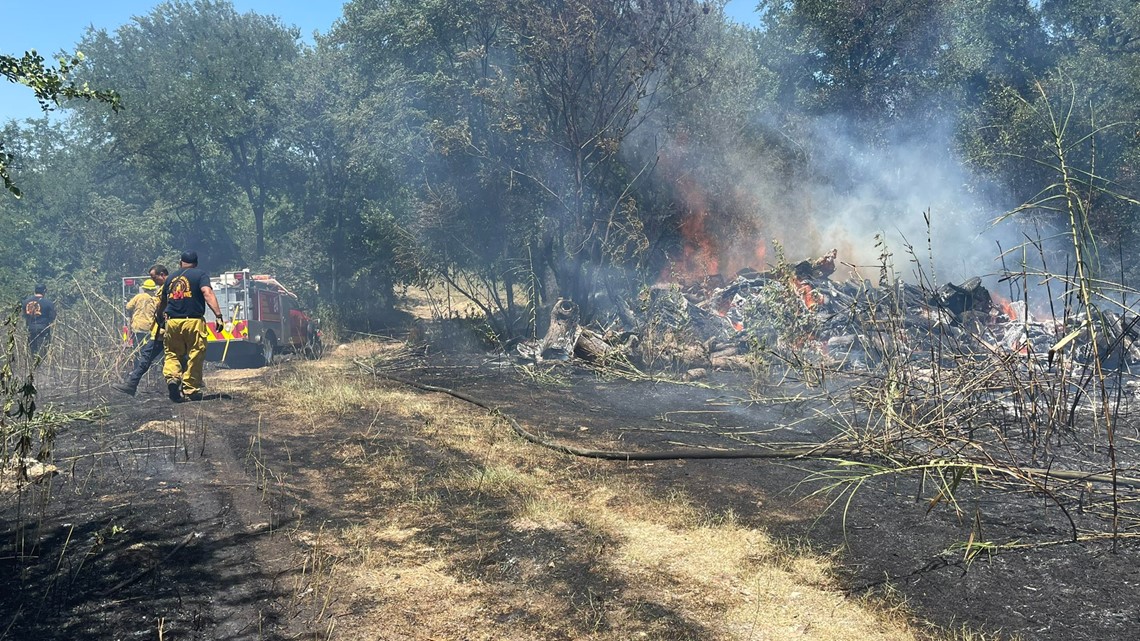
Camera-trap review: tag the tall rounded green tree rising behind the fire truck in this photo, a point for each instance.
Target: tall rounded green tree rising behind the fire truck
(206, 91)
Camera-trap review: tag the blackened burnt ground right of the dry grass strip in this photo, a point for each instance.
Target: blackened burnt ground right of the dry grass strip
(889, 538)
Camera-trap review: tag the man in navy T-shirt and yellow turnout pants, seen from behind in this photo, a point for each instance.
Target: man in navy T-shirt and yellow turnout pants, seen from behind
(182, 310)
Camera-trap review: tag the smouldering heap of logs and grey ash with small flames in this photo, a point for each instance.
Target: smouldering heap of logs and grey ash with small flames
(800, 313)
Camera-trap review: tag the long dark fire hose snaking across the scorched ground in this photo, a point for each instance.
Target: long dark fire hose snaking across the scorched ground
(803, 452)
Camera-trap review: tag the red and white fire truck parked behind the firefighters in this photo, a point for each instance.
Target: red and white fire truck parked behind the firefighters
(263, 320)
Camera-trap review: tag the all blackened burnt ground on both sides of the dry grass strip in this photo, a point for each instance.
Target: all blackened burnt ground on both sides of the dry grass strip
(181, 522)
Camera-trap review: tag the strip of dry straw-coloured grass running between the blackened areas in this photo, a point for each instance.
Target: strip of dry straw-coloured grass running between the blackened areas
(457, 530)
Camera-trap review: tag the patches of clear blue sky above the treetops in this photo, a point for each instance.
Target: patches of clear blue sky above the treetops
(61, 25)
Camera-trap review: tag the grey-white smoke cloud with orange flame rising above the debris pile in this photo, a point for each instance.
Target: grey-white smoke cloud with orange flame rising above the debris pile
(821, 185)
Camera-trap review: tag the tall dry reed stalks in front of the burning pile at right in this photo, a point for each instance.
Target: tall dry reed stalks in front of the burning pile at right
(944, 402)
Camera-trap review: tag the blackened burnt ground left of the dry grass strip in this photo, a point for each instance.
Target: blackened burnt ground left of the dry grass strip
(144, 531)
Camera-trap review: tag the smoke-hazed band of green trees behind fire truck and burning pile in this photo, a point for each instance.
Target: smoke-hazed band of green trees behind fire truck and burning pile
(574, 148)
